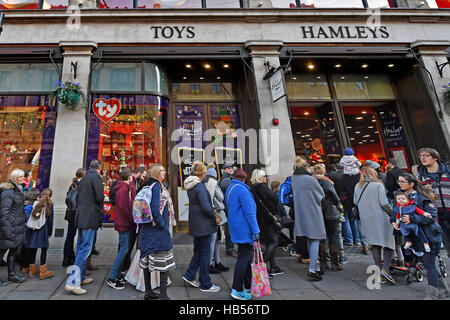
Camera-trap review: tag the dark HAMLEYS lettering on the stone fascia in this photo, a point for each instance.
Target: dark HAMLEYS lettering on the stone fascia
(344, 32)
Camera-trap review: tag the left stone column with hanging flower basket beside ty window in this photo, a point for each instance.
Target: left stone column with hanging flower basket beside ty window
(70, 132)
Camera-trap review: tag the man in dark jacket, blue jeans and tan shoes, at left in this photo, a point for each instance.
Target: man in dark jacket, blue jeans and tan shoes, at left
(88, 219)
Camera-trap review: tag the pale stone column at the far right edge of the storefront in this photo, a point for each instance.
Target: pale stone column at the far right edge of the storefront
(429, 53)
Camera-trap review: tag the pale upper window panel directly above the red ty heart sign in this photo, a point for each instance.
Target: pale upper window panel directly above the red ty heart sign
(117, 77)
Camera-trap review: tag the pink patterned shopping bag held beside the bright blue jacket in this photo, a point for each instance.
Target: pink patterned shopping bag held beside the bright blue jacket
(260, 277)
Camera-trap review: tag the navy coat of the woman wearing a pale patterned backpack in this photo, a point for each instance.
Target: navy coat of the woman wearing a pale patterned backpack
(155, 238)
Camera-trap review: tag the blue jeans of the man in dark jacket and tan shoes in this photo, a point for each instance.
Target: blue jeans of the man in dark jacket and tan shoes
(84, 247)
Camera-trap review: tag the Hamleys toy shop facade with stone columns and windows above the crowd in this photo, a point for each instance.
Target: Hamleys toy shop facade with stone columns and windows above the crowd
(195, 70)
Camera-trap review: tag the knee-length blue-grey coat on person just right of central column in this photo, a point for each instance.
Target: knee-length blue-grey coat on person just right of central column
(308, 195)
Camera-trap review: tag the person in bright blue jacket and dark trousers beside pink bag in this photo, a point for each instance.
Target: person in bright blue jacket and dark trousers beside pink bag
(244, 230)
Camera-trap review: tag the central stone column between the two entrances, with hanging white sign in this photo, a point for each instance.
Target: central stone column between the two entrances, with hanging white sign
(260, 52)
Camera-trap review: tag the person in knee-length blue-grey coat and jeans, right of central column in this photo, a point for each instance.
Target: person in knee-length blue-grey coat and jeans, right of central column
(308, 195)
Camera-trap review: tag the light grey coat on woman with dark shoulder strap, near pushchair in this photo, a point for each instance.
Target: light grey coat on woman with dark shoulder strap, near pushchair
(375, 212)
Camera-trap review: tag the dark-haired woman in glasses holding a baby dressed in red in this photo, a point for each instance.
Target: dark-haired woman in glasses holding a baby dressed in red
(424, 199)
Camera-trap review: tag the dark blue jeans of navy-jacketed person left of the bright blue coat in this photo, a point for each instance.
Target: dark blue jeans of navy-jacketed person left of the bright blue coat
(200, 260)
